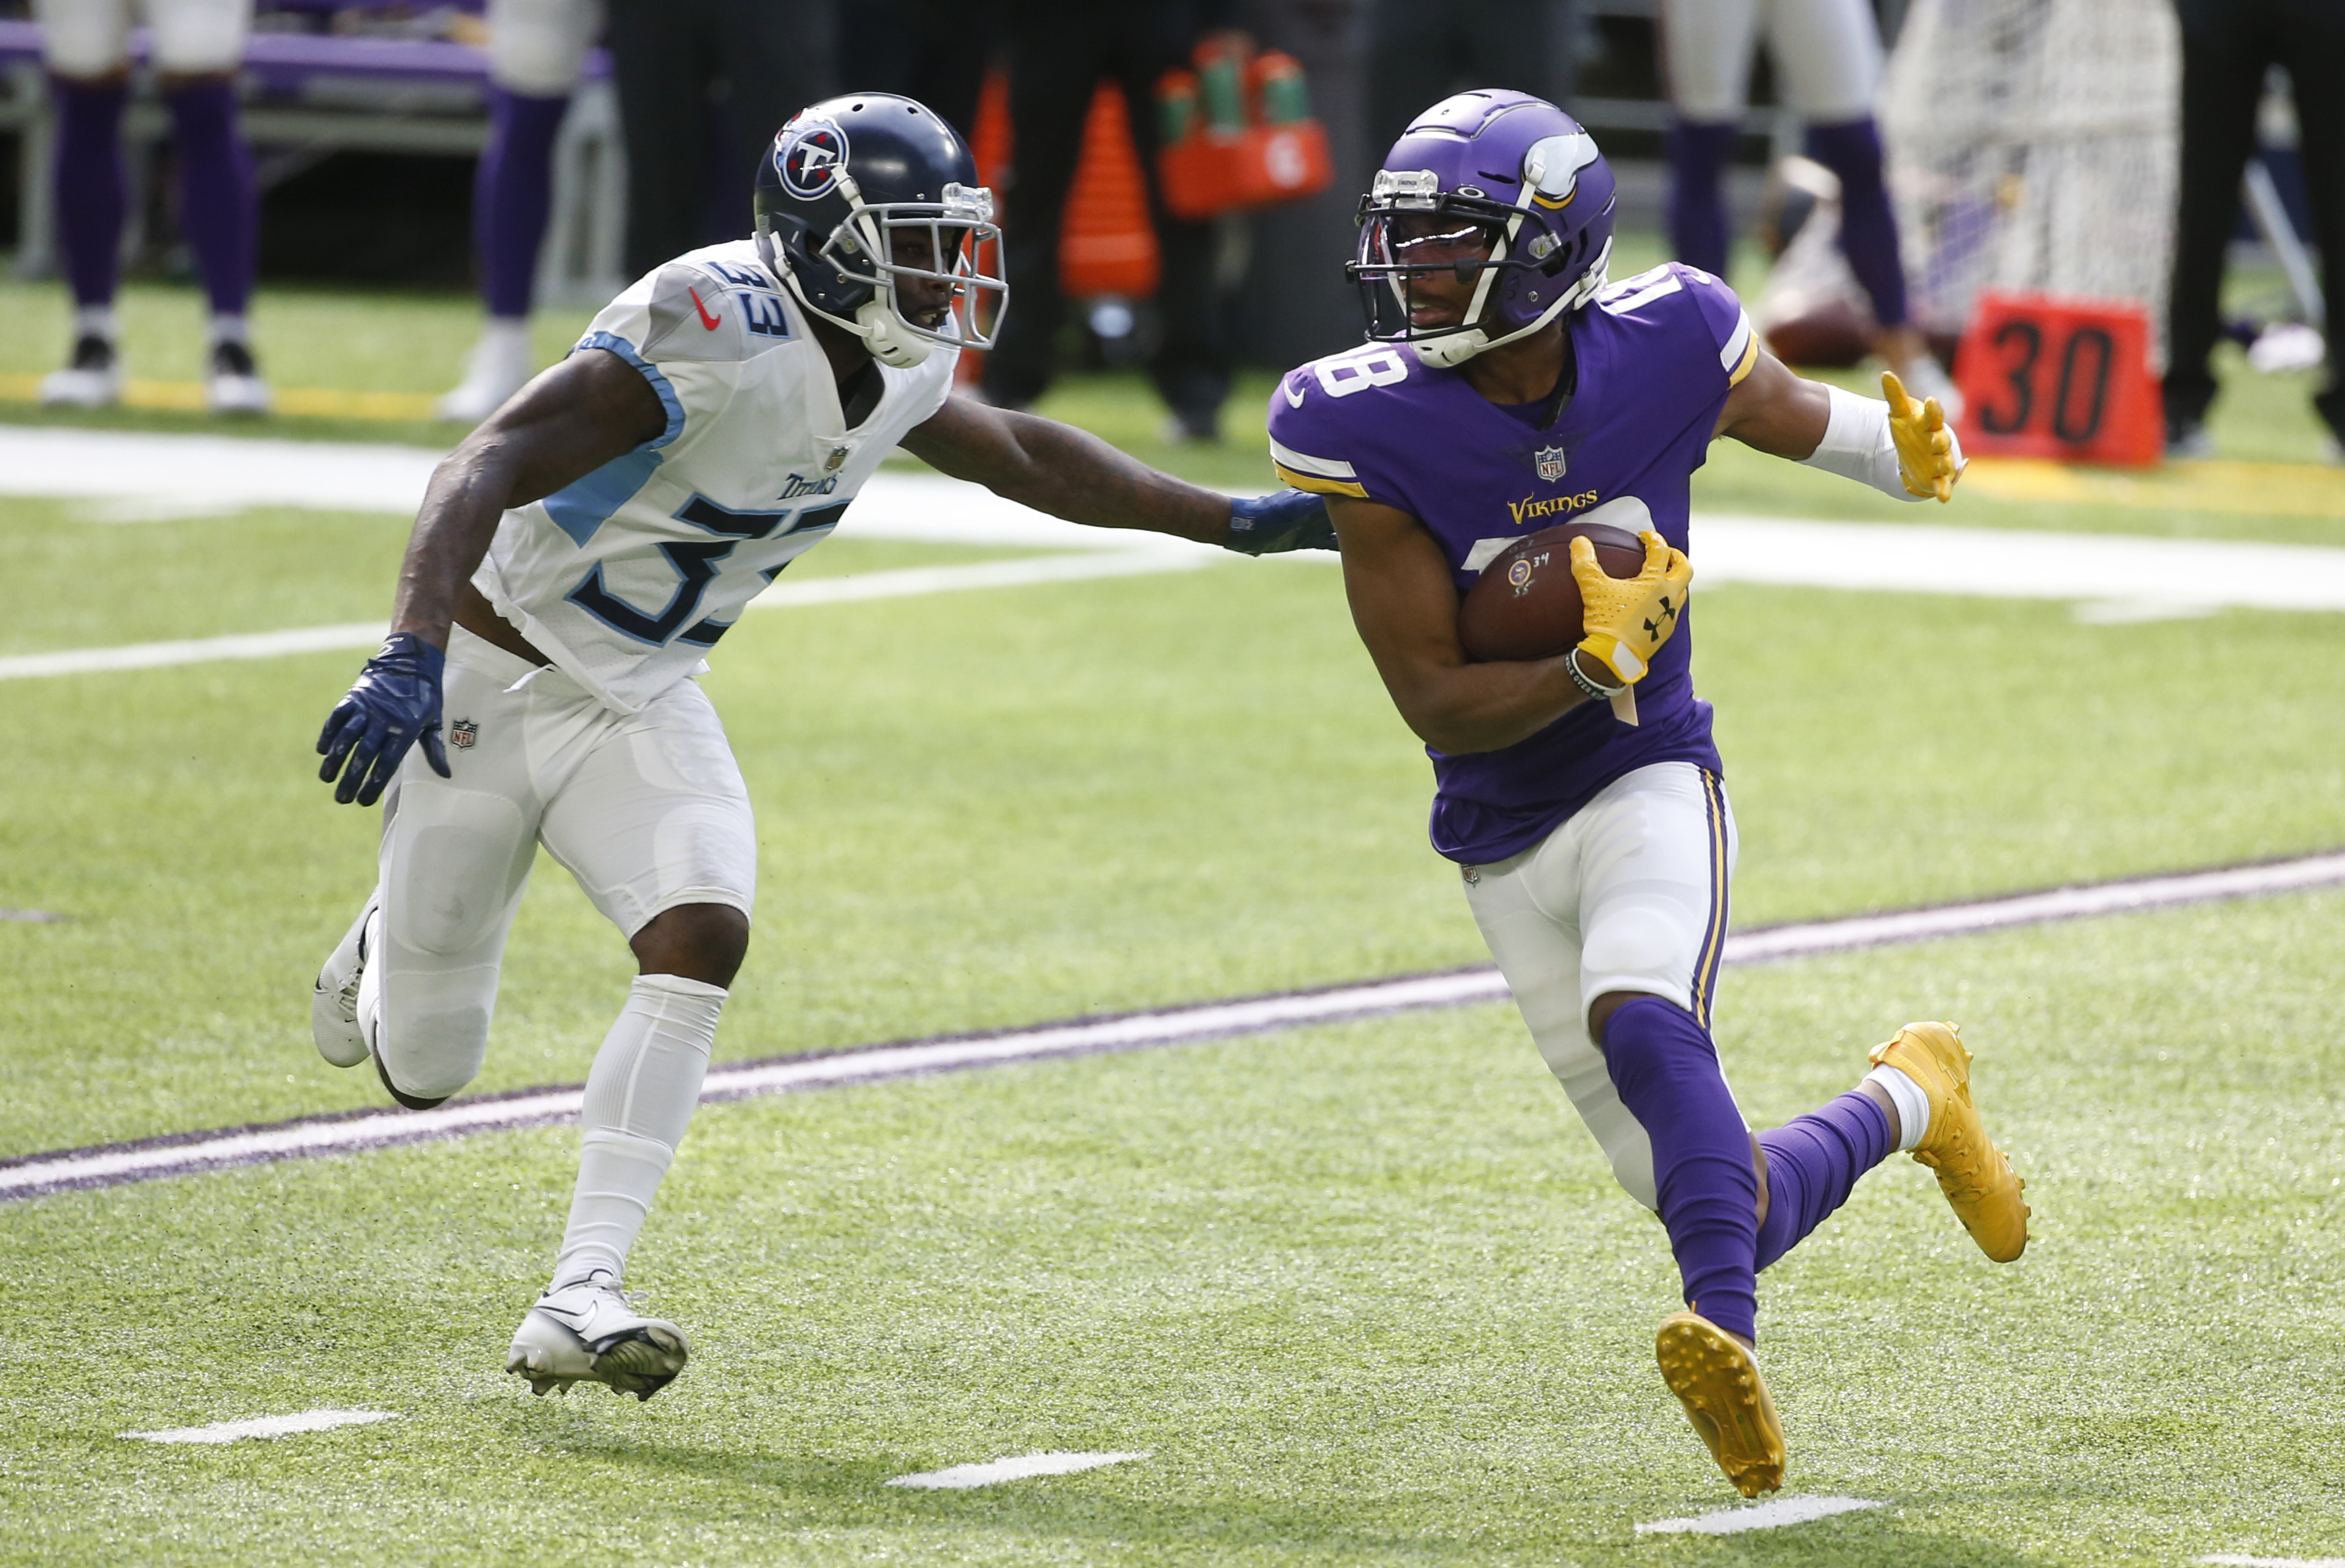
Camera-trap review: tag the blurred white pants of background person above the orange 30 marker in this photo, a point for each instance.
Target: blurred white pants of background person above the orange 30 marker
(1826, 55)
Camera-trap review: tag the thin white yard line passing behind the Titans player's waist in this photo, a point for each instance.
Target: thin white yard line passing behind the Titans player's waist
(859, 587)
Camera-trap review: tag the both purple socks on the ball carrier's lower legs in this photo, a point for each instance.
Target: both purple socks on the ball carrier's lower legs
(1668, 1077)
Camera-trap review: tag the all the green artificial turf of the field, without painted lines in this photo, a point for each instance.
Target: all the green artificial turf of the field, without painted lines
(1364, 1293)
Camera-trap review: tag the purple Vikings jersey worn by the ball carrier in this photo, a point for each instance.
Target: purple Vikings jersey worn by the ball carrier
(1657, 357)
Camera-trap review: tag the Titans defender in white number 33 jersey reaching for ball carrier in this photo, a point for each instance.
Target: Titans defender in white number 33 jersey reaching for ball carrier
(580, 554)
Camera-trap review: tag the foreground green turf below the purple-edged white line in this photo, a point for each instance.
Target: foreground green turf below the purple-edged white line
(1364, 1295)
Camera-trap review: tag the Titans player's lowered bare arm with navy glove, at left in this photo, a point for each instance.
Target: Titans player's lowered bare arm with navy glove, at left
(557, 430)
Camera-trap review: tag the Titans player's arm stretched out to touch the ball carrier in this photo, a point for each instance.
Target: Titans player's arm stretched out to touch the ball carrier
(1073, 475)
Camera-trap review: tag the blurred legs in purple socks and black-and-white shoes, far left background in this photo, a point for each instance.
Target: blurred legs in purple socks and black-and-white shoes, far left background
(196, 53)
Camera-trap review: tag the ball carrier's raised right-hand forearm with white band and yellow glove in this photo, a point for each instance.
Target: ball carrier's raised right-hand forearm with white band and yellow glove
(1901, 449)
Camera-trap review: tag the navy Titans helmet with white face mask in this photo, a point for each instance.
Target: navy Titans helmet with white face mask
(838, 191)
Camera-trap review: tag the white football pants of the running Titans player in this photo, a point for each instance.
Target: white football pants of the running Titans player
(646, 810)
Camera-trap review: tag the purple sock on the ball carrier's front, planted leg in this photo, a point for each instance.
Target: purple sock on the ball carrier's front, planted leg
(1668, 1077)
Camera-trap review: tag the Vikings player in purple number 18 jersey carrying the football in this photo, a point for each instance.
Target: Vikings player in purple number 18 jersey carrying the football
(1509, 388)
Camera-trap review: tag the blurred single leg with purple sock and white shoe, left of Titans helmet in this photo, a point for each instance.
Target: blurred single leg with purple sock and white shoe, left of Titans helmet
(536, 53)
